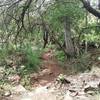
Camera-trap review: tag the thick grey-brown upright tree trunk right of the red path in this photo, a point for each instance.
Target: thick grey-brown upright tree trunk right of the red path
(69, 46)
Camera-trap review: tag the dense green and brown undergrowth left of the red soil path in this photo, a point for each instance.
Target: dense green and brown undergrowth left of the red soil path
(19, 62)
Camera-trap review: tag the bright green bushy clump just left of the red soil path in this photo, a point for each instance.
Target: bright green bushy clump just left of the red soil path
(32, 60)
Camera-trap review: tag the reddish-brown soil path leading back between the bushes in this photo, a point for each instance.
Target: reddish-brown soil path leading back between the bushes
(49, 70)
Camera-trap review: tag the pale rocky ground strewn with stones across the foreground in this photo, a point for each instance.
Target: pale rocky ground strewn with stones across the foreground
(84, 86)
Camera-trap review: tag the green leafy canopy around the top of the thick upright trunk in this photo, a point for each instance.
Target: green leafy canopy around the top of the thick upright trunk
(71, 9)
